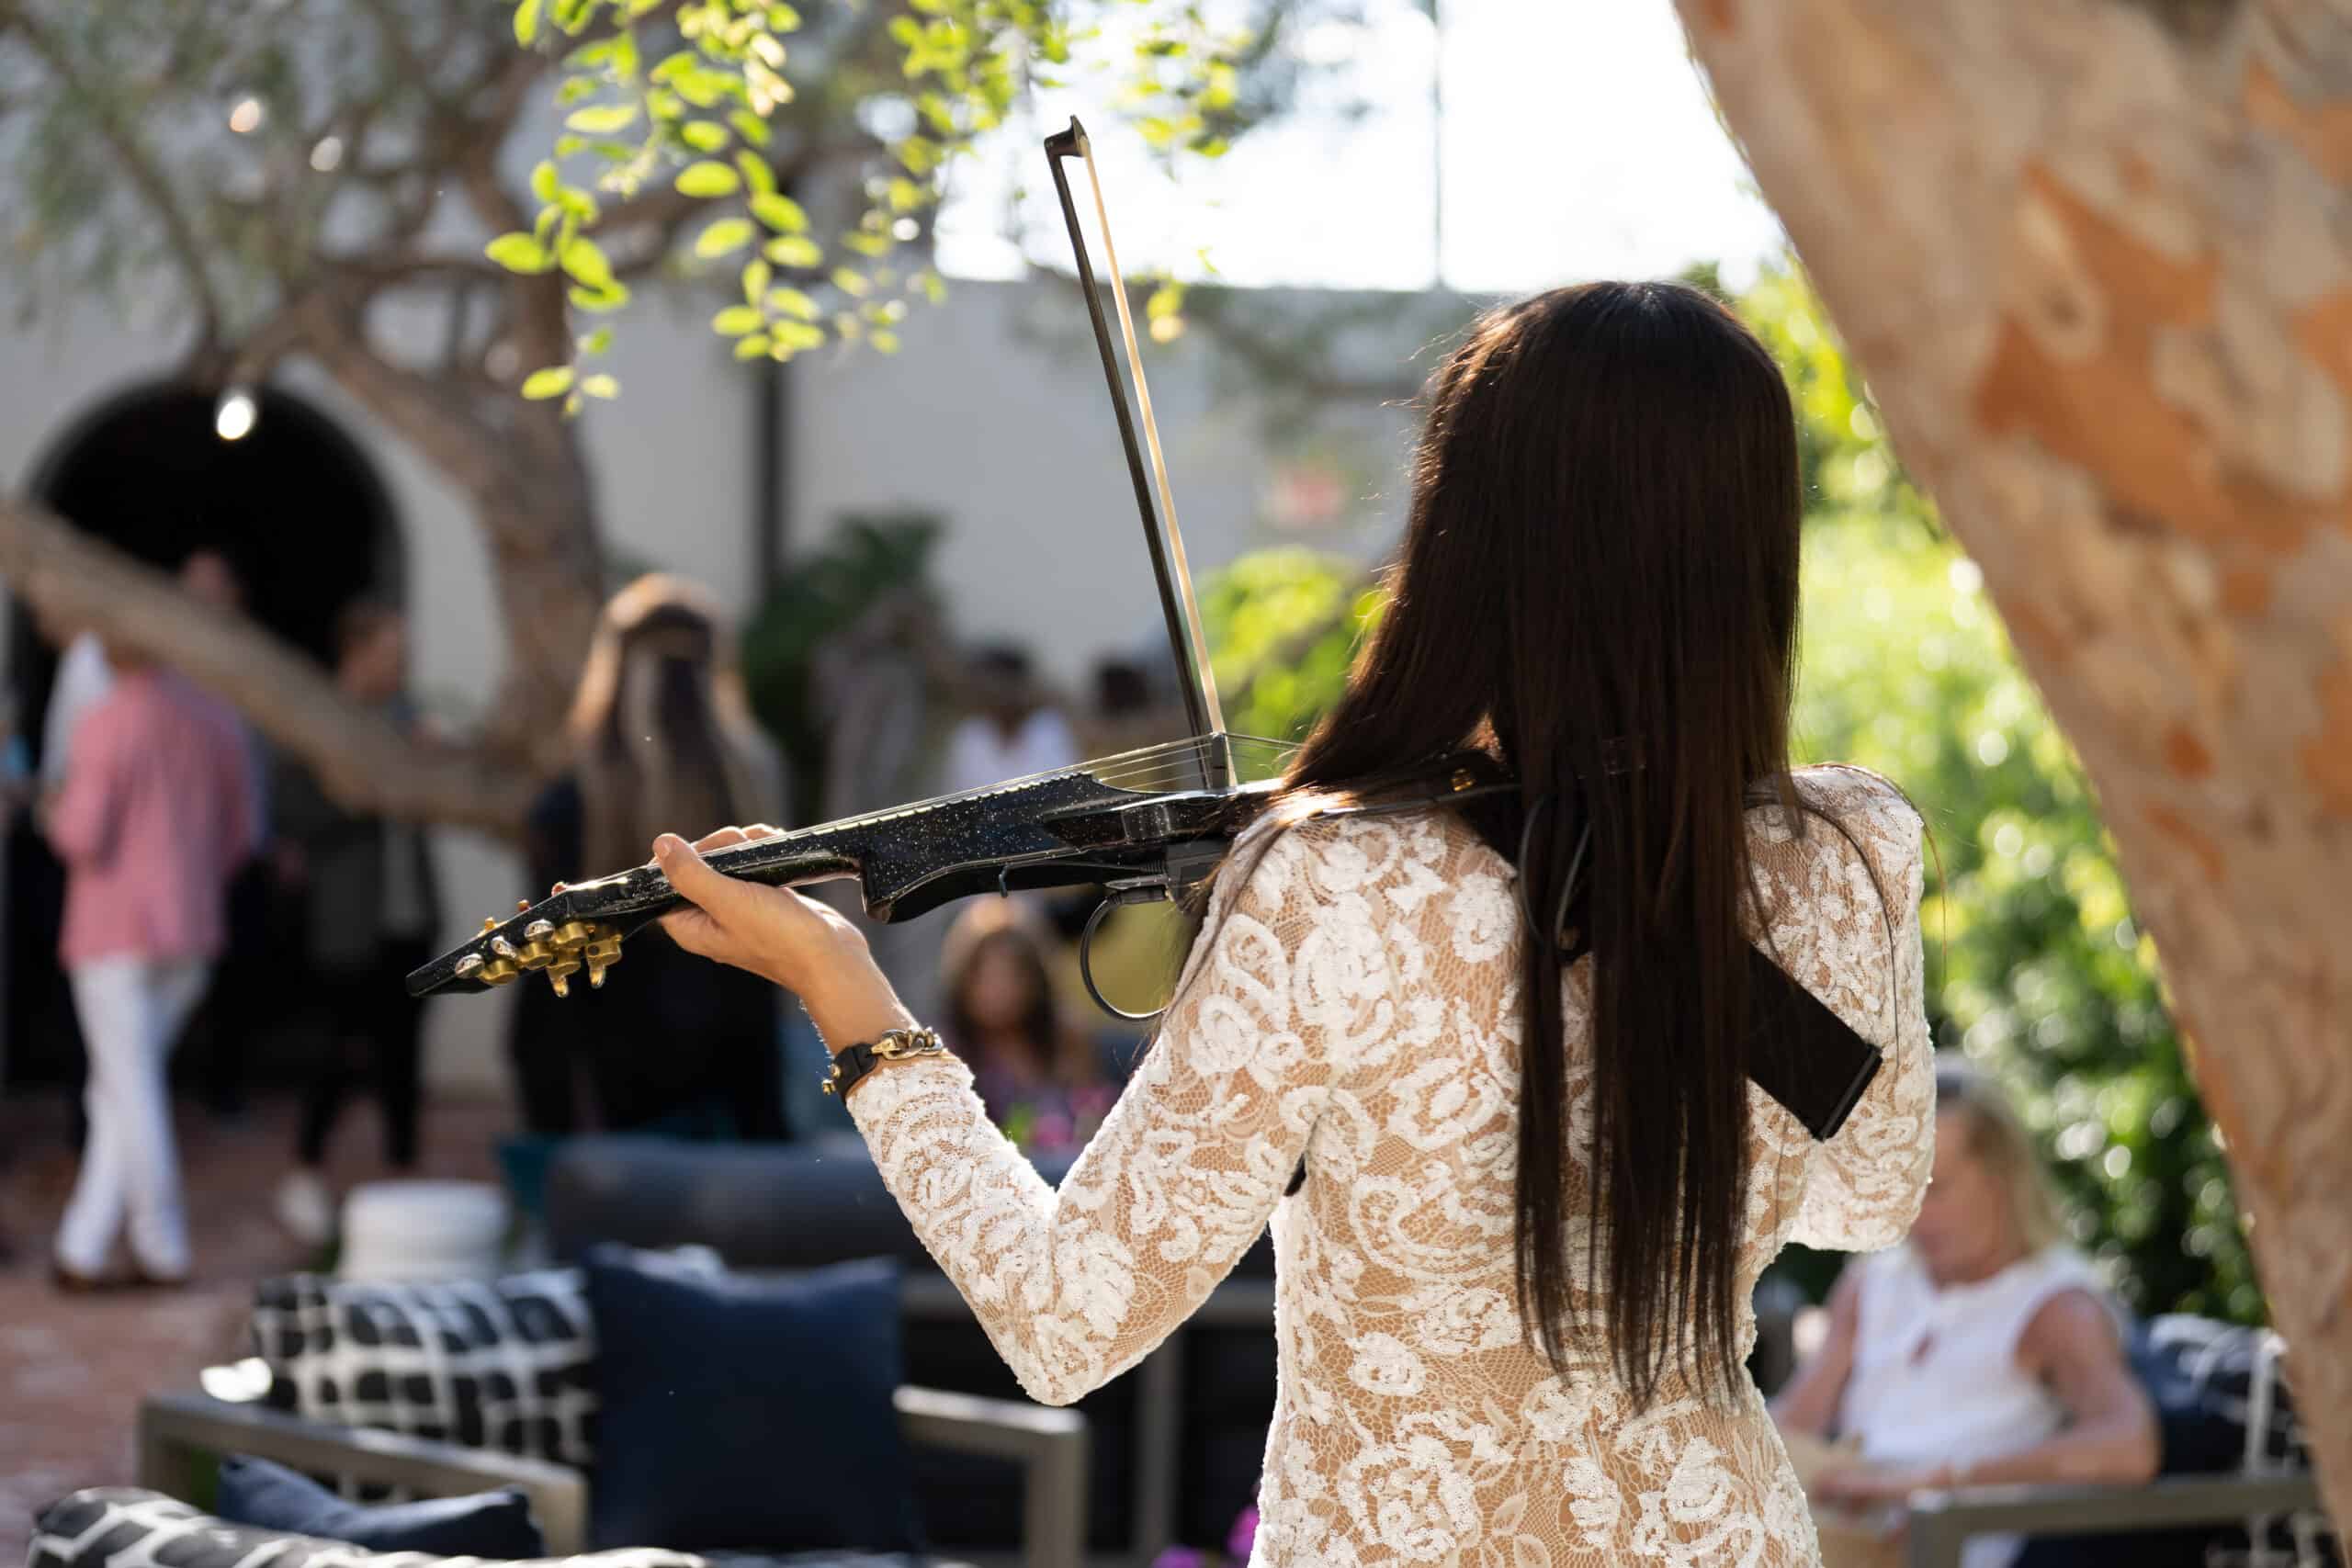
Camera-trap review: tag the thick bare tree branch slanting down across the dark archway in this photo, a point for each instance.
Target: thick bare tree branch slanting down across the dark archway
(361, 760)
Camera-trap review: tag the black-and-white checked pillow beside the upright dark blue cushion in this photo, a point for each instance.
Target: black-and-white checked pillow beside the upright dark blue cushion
(502, 1365)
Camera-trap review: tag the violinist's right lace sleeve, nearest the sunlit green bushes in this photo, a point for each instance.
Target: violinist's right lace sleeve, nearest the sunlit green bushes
(1859, 906)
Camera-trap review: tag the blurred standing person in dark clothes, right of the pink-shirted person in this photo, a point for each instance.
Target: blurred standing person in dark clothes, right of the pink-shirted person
(373, 918)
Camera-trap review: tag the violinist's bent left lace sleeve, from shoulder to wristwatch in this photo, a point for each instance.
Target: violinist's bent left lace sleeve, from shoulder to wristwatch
(1074, 1287)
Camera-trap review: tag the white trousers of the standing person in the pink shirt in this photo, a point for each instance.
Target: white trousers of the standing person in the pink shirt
(133, 1012)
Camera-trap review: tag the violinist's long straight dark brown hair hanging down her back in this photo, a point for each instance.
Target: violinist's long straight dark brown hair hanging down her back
(1598, 589)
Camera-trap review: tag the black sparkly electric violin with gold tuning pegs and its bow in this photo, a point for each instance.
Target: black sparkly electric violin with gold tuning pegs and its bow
(1144, 826)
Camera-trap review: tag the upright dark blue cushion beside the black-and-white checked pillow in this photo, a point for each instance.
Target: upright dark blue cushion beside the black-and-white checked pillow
(747, 1414)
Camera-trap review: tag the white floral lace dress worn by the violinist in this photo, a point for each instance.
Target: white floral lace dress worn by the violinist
(1358, 1007)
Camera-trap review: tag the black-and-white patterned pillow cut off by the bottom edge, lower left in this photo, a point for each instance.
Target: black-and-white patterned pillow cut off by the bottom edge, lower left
(119, 1527)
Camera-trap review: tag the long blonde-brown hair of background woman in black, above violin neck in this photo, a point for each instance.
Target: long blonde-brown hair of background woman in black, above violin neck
(662, 730)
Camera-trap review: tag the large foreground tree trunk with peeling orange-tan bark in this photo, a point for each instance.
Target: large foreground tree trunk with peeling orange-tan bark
(2097, 262)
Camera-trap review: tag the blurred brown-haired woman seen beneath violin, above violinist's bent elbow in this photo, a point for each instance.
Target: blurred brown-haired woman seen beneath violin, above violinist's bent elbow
(1038, 1078)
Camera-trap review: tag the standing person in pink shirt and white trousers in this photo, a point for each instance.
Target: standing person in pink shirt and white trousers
(154, 819)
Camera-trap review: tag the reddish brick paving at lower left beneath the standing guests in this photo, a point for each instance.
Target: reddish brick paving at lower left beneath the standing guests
(74, 1367)
